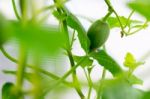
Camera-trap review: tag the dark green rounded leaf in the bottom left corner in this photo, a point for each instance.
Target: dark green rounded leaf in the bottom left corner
(8, 91)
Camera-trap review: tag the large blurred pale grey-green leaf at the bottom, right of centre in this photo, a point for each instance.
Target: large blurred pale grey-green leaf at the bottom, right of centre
(119, 89)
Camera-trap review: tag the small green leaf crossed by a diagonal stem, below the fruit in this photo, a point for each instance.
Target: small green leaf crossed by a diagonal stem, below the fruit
(87, 62)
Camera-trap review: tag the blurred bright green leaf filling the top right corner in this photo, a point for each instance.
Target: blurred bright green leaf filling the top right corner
(141, 6)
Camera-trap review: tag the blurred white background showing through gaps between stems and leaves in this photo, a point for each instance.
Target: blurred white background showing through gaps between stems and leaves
(137, 44)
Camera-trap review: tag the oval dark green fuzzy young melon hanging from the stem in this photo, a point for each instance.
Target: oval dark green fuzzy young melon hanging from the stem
(98, 34)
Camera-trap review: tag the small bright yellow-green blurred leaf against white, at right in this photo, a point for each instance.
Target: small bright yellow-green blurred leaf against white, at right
(131, 62)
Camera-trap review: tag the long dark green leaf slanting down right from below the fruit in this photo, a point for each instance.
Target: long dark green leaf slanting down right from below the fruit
(107, 62)
